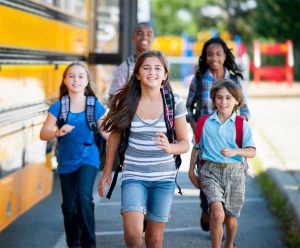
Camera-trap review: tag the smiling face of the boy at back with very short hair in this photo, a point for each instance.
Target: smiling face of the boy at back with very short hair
(143, 38)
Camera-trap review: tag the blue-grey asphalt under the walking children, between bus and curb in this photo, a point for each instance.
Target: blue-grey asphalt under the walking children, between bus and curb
(42, 226)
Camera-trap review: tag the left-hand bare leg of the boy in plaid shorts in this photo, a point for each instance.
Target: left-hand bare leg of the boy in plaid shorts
(217, 217)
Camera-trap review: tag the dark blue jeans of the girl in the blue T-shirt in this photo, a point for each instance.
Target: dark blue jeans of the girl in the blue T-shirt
(78, 206)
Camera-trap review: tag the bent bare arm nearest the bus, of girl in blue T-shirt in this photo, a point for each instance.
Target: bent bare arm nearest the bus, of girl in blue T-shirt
(47, 132)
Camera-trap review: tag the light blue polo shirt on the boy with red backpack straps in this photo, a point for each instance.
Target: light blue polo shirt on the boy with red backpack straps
(217, 135)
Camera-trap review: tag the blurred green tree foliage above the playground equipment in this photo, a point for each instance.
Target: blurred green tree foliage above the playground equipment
(272, 20)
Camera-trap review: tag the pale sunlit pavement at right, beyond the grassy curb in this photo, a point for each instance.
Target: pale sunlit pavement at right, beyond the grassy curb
(276, 126)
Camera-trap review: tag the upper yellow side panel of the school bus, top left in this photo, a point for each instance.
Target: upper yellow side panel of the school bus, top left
(23, 30)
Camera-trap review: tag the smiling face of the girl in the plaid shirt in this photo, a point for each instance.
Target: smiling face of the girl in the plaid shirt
(215, 57)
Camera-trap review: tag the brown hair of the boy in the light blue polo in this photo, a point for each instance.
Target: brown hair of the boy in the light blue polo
(232, 88)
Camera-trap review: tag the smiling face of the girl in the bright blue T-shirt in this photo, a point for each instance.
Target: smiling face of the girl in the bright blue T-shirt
(76, 79)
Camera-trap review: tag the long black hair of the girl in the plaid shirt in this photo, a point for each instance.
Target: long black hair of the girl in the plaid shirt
(229, 62)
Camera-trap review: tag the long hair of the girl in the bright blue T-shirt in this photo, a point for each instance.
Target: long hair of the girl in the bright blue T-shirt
(63, 90)
